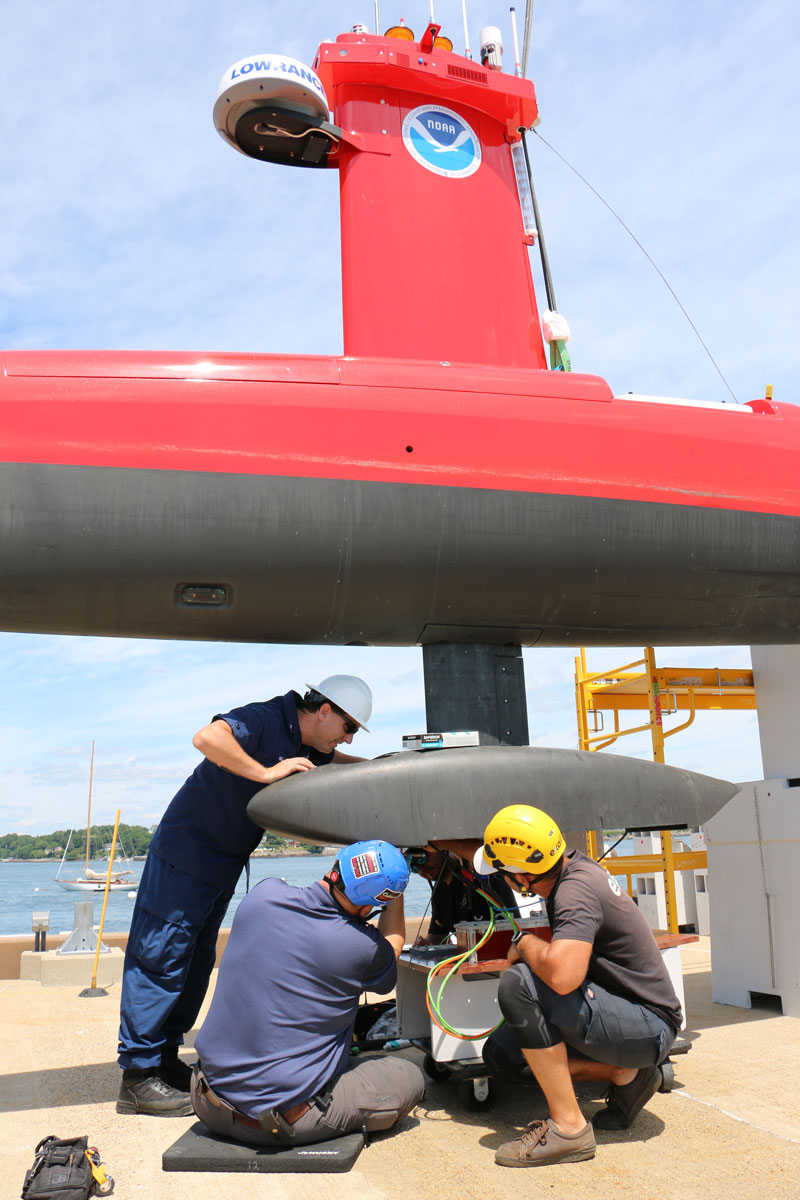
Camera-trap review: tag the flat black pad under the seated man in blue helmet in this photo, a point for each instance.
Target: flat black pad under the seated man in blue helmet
(200, 1150)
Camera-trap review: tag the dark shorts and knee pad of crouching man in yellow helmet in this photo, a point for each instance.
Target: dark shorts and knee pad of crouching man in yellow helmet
(593, 1022)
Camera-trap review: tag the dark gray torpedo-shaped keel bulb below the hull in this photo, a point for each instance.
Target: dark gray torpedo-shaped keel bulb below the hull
(414, 797)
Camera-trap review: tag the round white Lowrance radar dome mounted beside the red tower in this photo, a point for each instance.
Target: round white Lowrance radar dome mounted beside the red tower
(274, 109)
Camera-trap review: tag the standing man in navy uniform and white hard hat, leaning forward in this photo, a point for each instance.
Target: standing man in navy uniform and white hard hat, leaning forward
(196, 857)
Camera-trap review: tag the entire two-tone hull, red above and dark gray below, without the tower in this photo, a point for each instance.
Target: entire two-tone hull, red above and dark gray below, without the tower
(335, 501)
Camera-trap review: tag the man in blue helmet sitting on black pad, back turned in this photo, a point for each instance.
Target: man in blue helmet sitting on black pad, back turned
(275, 1065)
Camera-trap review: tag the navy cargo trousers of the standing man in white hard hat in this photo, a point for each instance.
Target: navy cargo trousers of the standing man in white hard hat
(169, 962)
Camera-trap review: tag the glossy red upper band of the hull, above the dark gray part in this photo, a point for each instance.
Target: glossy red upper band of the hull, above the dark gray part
(395, 422)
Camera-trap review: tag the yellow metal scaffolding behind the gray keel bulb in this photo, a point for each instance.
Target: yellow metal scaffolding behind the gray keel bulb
(642, 685)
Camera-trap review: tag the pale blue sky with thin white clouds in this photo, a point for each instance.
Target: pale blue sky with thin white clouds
(127, 223)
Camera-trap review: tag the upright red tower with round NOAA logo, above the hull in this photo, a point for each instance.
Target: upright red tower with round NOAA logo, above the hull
(435, 248)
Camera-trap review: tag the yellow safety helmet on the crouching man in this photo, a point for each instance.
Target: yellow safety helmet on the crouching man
(520, 838)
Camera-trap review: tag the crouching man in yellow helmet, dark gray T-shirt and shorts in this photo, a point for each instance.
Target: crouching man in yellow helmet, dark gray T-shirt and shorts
(596, 1003)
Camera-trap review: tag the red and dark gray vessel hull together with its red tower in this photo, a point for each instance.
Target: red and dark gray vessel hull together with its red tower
(435, 484)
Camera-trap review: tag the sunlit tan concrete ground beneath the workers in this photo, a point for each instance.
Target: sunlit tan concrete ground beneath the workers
(730, 1131)
